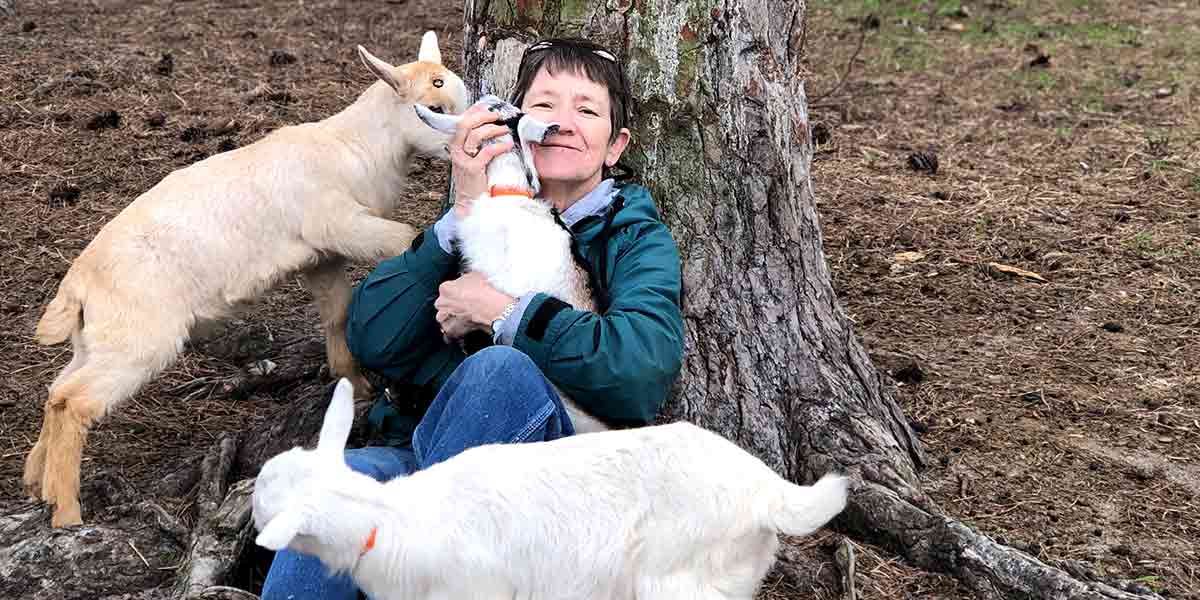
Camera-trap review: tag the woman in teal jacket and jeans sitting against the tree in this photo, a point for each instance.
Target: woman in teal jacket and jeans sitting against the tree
(406, 317)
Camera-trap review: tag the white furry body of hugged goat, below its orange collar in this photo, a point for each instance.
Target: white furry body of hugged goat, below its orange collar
(518, 247)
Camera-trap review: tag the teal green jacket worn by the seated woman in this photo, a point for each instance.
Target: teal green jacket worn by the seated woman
(619, 365)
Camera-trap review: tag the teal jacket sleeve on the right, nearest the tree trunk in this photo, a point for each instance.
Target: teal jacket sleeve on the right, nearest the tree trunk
(619, 367)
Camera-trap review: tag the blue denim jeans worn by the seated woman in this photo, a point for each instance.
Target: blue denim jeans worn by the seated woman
(497, 395)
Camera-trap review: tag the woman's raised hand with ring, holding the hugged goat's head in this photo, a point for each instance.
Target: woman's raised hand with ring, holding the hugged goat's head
(471, 158)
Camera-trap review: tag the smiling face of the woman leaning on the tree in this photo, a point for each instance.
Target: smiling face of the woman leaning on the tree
(572, 160)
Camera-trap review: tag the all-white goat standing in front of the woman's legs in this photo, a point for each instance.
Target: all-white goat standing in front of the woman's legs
(670, 512)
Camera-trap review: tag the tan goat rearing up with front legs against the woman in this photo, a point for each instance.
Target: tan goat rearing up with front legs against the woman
(223, 232)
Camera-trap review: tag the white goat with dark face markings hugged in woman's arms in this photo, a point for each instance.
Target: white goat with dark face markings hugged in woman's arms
(512, 237)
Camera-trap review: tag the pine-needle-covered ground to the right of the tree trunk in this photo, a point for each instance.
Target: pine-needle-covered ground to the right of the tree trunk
(1045, 429)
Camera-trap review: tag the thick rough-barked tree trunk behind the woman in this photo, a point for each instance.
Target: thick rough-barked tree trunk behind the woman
(722, 139)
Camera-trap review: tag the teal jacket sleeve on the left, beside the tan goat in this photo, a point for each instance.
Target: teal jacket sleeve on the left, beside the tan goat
(391, 323)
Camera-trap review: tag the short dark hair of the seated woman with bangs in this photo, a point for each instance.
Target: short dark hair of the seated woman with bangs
(585, 57)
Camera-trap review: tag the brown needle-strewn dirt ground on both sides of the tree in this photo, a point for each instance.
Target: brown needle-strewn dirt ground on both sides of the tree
(1059, 405)
